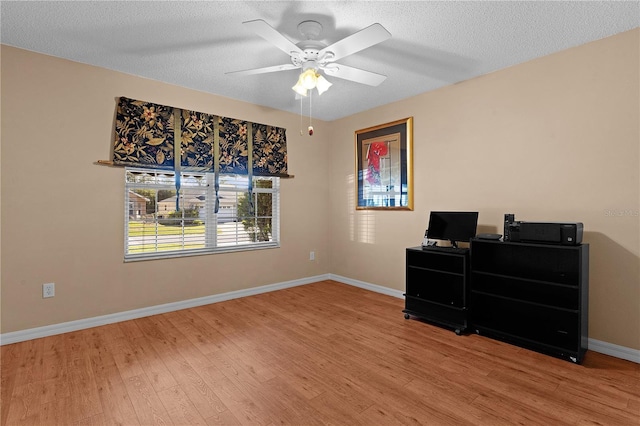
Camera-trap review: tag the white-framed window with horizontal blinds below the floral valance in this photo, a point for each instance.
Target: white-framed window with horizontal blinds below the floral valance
(157, 228)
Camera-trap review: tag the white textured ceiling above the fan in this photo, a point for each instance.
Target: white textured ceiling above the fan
(193, 44)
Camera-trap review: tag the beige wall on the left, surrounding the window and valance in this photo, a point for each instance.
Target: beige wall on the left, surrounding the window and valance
(57, 120)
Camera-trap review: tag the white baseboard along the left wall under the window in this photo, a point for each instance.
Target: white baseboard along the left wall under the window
(66, 327)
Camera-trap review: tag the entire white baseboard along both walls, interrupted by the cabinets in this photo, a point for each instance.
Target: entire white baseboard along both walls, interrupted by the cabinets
(617, 351)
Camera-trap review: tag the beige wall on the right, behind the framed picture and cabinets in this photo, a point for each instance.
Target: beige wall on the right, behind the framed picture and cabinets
(554, 139)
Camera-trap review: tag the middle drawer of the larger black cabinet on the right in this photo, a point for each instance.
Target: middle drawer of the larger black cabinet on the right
(553, 295)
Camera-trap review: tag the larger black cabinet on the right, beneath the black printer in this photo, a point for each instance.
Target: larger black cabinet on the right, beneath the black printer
(532, 295)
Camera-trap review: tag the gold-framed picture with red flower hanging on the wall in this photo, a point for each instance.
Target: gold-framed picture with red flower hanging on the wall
(384, 175)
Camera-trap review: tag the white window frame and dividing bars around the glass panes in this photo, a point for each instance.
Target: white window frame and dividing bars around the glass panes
(211, 220)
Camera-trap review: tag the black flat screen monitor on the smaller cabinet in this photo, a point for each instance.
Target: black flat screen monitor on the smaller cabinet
(452, 226)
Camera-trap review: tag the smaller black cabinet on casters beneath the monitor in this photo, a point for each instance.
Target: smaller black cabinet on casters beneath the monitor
(436, 286)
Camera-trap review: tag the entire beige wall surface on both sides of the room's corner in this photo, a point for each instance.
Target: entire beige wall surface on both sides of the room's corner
(555, 139)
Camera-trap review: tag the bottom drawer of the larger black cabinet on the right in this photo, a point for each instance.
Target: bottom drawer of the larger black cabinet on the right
(536, 323)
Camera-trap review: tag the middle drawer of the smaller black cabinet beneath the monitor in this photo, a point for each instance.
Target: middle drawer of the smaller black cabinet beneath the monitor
(435, 286)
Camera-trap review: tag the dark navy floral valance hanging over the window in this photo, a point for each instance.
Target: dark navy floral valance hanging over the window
(145, 135)
